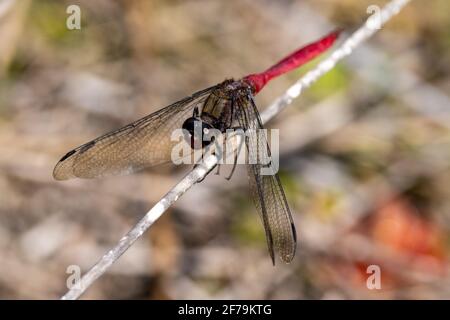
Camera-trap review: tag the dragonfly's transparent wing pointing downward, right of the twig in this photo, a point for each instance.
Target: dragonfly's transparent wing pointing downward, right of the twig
(267, 191)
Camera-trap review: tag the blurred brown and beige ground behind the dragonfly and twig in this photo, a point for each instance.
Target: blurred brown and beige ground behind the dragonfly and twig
(364, 153)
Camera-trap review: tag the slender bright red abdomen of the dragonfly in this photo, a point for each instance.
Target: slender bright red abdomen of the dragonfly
(294, 60)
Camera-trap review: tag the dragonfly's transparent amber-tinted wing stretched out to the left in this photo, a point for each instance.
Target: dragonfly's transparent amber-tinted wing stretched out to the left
(145, 142)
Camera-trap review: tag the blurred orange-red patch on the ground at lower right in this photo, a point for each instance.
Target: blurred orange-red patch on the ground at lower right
(402, 239)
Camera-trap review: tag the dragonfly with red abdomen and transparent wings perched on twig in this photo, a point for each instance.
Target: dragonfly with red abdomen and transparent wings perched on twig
(147, 142)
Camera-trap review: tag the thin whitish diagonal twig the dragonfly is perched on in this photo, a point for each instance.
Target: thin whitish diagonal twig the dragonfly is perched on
(209, 162)
